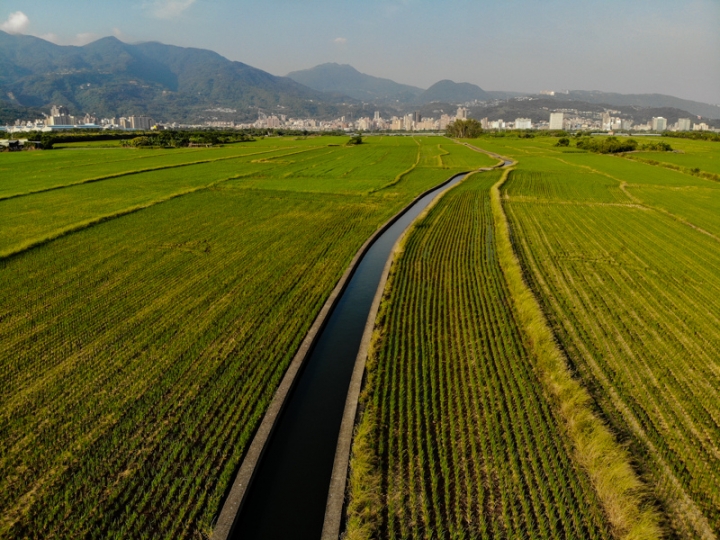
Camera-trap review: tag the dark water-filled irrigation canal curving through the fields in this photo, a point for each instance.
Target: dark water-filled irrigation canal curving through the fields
(289, 490)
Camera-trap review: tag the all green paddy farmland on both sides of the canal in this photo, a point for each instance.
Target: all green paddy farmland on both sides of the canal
(151, 301)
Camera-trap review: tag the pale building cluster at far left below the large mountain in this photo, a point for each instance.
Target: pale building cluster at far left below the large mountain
(60, 119)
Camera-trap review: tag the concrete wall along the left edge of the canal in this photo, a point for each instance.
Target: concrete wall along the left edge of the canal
(234, 500)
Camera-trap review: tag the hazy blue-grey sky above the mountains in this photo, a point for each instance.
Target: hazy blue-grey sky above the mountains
(627, 46)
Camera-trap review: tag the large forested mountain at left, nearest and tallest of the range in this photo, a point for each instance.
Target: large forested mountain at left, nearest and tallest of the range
(112, 78)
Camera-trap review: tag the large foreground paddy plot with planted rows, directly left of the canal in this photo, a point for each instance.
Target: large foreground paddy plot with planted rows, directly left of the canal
(141, 354)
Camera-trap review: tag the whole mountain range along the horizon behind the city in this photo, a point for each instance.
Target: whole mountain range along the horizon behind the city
(111, 78)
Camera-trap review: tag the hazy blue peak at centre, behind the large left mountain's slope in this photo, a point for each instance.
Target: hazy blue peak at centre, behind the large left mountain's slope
(345, 79)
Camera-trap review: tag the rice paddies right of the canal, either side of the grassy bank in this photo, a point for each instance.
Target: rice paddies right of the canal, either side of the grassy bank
(621, 255)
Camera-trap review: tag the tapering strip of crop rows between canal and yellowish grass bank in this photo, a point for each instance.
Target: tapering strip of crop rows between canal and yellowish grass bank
(465, 443)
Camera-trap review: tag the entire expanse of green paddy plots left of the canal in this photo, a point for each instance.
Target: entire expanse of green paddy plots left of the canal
(150, 302)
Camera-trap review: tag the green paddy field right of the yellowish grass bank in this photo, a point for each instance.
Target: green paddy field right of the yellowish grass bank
(631, 289)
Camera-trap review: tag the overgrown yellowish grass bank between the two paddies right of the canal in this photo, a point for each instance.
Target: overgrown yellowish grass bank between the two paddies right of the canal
(606, 462)
